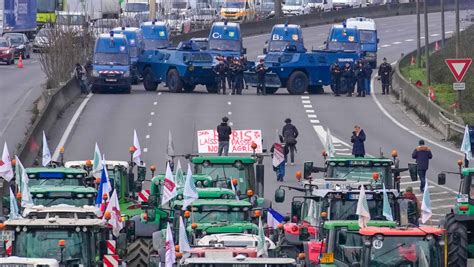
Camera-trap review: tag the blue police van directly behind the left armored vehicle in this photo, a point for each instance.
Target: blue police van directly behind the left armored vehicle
(156, 35)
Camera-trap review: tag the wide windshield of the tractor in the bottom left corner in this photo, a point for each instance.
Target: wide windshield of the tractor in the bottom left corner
(44, 244)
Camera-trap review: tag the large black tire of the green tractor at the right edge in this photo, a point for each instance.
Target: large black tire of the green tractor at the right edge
(457, 242)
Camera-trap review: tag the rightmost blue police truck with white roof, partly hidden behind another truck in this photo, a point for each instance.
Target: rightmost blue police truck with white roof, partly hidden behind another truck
(368, 37)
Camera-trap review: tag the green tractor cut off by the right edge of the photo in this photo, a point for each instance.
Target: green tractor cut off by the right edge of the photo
(459, 223)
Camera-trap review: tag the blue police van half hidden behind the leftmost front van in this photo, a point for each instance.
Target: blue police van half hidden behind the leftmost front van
(136, 45)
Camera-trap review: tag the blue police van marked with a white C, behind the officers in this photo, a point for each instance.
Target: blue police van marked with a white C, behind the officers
(225, 39)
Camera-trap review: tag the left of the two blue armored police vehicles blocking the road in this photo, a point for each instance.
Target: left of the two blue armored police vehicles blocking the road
(180, 69)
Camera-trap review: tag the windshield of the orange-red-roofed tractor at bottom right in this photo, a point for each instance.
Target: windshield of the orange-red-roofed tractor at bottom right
(404, 251)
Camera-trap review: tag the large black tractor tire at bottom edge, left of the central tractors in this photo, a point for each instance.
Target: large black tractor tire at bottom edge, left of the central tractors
(138, 252)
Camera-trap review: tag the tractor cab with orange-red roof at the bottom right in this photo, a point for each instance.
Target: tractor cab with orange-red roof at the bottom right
(421, 246)
